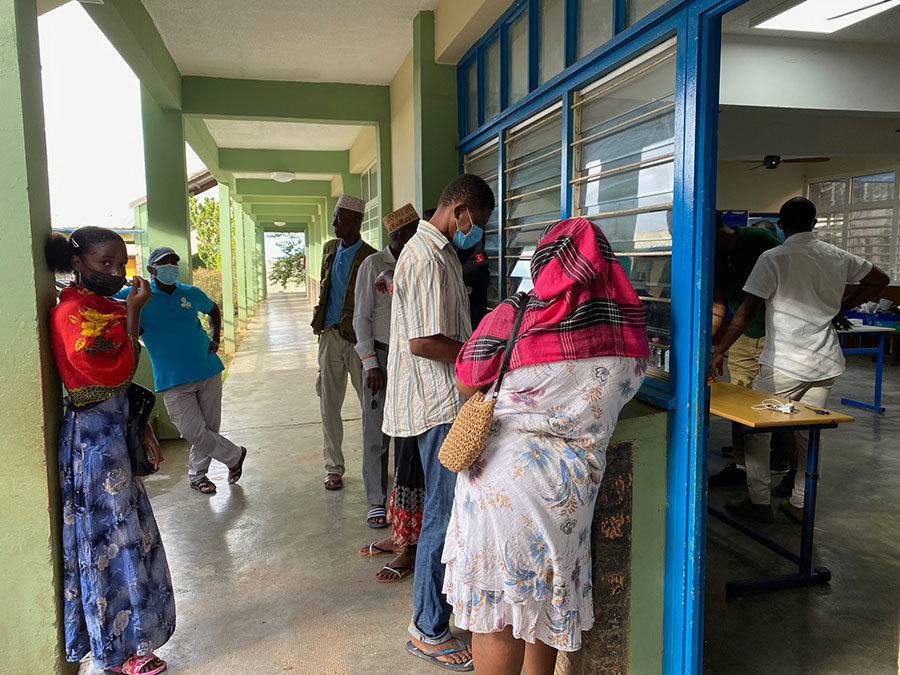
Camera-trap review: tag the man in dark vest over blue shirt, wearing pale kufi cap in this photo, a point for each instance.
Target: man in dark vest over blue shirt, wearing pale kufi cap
(333, 323)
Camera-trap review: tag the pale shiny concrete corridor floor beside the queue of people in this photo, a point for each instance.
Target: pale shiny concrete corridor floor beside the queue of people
(267, 574)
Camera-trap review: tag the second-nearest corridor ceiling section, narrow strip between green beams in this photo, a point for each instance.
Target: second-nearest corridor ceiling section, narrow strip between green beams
(255, 135)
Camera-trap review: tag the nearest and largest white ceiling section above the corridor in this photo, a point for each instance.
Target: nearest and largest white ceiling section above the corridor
(357, 41)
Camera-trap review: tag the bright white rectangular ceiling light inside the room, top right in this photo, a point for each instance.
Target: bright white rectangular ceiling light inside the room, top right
(823, 16)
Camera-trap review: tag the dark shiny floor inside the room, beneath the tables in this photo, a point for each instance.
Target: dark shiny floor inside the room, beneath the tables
(852, 624)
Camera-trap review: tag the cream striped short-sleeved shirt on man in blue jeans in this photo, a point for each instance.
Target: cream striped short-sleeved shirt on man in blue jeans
(429, 299)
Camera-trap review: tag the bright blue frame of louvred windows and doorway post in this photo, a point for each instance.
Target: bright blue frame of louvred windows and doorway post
(696, 25)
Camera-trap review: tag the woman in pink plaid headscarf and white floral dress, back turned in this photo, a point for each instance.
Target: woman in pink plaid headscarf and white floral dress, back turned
(518, 546)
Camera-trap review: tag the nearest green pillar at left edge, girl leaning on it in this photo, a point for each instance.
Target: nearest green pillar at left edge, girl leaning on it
(30, 398)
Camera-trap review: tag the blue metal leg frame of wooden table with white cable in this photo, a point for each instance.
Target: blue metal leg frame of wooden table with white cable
(807, 575)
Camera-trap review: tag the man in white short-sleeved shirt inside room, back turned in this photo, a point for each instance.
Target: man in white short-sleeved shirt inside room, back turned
(802, 284)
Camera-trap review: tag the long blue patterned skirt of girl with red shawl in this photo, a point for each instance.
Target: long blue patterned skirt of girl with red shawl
(118, 592)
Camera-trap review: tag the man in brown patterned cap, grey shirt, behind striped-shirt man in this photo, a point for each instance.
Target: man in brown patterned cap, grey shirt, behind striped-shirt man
(372, 325)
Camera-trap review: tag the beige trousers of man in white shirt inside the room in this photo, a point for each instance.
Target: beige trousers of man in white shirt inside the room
(756, 446)
